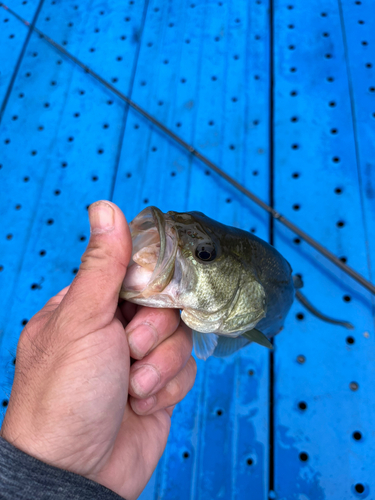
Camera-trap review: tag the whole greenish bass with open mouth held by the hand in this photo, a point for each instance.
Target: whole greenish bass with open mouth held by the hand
(231, 287)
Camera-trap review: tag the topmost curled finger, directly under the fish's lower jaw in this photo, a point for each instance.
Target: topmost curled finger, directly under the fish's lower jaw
(149, 327)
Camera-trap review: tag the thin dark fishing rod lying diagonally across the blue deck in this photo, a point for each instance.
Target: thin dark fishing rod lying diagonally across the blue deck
(274, 213)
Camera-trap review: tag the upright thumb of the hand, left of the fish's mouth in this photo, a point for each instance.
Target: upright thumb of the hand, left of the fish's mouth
(93, 295)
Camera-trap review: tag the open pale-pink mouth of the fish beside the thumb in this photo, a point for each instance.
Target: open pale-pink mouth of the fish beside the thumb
(152, 265)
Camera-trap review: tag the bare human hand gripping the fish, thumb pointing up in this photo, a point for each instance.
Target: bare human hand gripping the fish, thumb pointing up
(76, 402)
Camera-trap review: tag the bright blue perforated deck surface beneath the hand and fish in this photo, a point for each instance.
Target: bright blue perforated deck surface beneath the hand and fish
(278, 94)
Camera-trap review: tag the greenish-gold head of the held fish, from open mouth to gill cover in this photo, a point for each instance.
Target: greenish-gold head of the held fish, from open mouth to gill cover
(191, 262)
